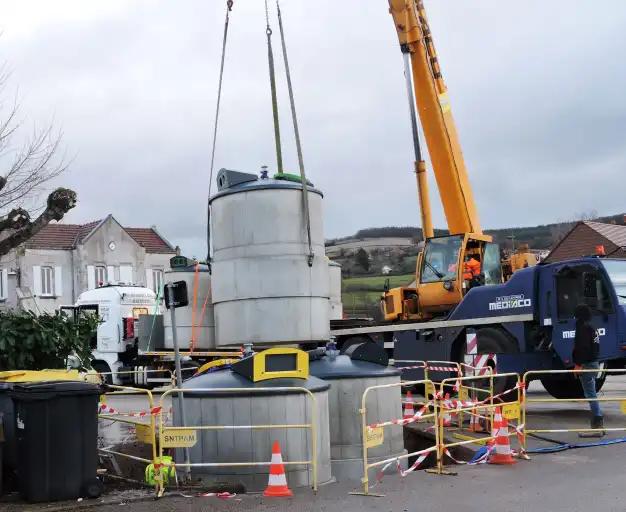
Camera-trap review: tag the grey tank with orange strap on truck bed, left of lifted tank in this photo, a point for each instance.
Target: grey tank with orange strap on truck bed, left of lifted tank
(203, 323)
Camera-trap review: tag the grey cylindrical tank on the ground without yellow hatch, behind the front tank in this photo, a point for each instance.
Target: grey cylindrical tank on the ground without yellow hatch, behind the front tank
(348, 381)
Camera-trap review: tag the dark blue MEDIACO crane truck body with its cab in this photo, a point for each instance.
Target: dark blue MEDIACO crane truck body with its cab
(528, 322)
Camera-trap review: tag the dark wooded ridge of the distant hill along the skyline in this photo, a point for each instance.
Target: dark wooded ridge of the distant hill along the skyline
(537, 237)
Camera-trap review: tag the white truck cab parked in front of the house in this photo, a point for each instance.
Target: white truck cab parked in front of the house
(118, 306)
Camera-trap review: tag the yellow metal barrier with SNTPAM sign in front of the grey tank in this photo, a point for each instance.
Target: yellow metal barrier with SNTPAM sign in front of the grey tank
(164, 430)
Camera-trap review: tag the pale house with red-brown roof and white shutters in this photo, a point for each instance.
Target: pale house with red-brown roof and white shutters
(61, 261)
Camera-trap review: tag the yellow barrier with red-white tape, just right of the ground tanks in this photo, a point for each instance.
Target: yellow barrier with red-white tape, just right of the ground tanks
(371, 432)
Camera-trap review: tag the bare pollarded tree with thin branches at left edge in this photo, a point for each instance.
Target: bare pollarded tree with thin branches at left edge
(27, 170)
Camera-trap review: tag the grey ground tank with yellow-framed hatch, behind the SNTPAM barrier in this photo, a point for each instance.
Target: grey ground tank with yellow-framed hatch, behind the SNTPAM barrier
(215, 407)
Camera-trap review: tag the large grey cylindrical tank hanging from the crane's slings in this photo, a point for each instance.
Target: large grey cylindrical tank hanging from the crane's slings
(264, 290)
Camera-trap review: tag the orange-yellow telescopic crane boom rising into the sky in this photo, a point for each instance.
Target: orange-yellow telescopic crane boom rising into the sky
(438, 125)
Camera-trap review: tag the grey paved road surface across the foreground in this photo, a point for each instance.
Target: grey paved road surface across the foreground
(573, 480)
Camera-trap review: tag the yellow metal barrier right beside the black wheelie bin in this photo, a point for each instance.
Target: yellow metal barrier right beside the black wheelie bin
(142, 420)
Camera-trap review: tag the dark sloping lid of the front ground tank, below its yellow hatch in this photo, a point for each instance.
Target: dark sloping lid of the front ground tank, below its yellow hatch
(218, 381)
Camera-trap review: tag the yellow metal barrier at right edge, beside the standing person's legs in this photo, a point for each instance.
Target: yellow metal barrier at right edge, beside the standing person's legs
(528, 376)
